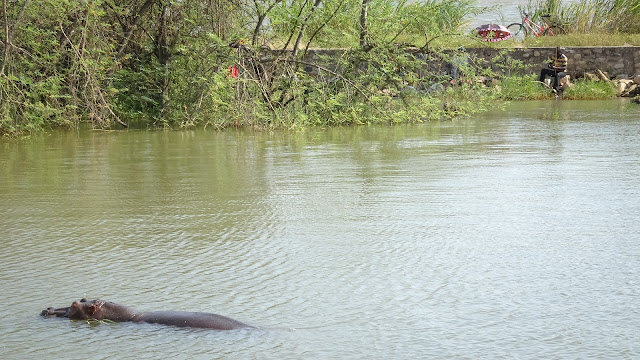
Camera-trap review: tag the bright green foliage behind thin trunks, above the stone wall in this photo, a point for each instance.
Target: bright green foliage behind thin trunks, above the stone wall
(336, 24)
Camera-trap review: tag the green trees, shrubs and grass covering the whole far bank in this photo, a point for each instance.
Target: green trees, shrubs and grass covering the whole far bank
(165, 63)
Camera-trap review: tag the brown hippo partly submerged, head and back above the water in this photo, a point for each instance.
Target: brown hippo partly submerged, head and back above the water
(106, 310)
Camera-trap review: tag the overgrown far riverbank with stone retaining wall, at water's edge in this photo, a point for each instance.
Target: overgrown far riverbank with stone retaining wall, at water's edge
(338, 87)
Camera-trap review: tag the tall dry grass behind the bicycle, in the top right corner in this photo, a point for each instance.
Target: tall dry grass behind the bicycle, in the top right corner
(590, 16)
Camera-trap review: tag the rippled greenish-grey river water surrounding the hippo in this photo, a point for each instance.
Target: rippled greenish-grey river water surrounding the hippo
(513, 234)
